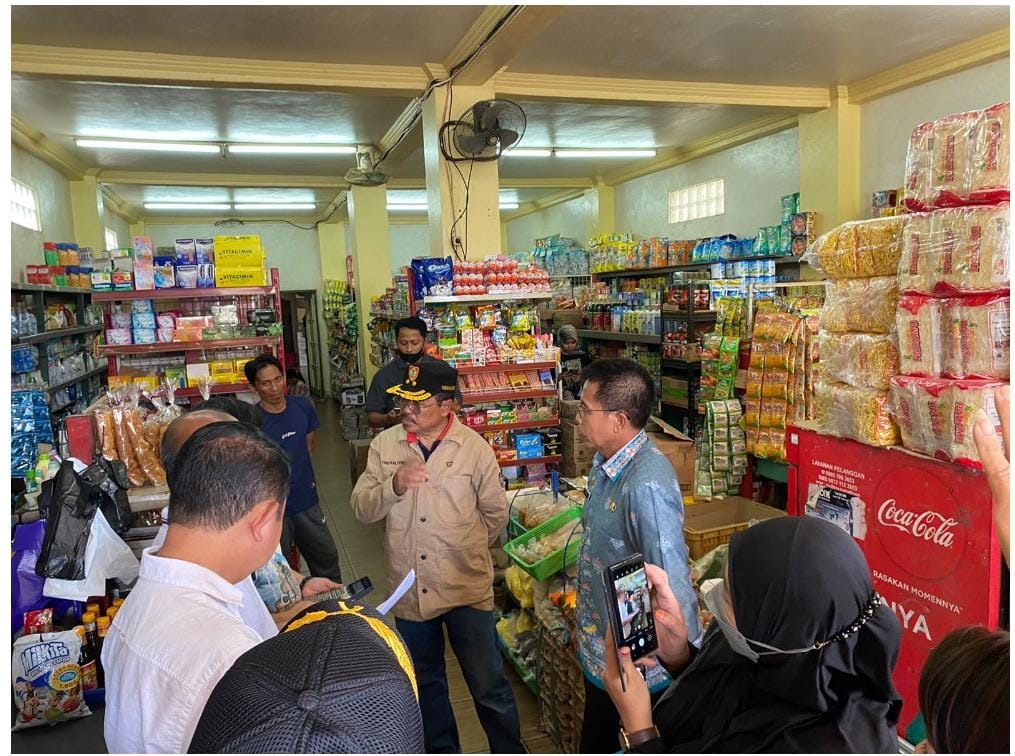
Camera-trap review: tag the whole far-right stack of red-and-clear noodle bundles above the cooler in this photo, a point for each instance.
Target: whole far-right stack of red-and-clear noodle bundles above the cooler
(954, 319)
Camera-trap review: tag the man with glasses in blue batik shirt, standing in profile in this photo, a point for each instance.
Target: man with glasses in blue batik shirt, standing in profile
(635, 507)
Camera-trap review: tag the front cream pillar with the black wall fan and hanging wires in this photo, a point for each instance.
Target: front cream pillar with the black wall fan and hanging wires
(444, 182)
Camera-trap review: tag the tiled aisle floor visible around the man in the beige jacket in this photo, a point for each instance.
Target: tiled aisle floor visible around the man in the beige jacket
(363, 555)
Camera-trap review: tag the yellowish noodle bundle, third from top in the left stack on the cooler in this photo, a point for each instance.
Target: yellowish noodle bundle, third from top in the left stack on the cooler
(861, 361)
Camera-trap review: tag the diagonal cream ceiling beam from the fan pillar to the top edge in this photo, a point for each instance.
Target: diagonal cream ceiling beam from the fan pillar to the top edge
(522, 28)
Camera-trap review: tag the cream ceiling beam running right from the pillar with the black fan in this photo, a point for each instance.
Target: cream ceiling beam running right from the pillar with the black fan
(595, 90)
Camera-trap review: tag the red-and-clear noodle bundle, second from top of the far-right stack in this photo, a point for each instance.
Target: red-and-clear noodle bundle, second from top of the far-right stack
(959, 251)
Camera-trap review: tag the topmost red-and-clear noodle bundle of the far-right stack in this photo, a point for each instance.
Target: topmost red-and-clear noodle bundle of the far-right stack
(960, 159)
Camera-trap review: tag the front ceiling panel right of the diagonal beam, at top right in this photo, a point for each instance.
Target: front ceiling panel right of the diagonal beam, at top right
(787, 46)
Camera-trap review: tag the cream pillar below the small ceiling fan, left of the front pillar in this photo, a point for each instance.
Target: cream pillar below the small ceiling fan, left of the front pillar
(371, 245)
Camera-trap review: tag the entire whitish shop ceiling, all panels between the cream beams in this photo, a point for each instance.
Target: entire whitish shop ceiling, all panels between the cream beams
(803, 46)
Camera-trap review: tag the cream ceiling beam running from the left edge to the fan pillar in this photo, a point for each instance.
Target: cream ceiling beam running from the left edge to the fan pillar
(193, 71)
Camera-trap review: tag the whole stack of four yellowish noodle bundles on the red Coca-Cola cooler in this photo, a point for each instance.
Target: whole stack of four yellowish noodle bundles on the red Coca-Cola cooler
(857, 341)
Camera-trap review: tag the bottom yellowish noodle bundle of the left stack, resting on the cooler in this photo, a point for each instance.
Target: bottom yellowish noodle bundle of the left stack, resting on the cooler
(861, 415)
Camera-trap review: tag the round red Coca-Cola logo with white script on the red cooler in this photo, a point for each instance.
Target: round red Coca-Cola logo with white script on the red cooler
(922, 527)
